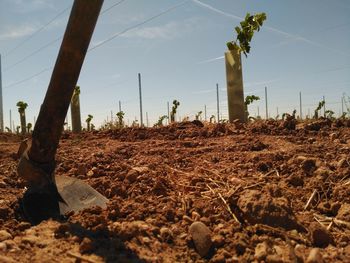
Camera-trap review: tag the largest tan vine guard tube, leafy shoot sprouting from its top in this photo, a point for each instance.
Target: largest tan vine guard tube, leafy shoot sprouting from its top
(234, 79)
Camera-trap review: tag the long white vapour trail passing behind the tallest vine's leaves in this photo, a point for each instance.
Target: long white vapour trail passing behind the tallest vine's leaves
(292, 37)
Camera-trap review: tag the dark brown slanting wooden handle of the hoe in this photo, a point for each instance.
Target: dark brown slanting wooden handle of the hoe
(49, 125)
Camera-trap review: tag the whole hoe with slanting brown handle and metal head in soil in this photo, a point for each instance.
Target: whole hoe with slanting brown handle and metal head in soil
(47, 195)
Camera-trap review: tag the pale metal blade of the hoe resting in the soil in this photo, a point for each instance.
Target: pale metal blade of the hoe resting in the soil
(77, 195)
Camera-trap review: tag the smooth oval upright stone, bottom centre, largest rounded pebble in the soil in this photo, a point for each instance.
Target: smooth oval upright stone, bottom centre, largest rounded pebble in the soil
(201, 236)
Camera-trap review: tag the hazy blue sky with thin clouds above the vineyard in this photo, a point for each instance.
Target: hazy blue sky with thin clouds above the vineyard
(178, 47)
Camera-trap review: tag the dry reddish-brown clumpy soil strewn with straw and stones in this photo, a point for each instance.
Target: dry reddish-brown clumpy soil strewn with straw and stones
(266, 192)
